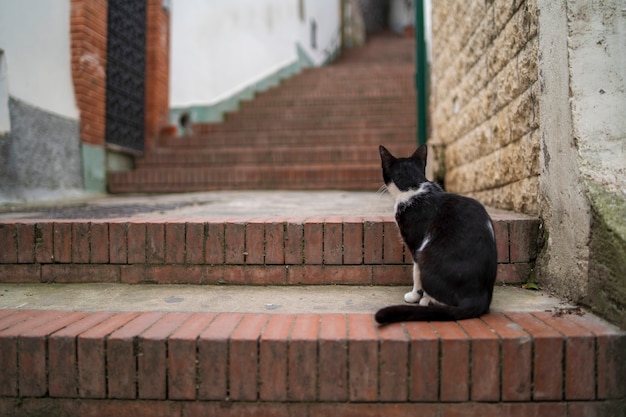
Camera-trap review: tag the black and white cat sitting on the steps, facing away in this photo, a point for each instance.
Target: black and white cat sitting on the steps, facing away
(451, 239)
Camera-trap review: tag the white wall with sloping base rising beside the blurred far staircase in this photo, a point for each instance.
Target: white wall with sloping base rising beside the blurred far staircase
(222, 52)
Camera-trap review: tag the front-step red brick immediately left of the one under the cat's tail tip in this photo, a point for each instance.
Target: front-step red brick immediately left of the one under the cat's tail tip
(333, 358)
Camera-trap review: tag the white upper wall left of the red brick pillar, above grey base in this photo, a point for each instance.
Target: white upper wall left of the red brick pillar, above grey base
(35, 37)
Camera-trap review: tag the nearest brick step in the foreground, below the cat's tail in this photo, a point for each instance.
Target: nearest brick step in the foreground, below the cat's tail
(230, 364)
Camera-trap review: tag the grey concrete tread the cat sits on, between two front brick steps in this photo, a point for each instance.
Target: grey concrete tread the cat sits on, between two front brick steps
(249, 299)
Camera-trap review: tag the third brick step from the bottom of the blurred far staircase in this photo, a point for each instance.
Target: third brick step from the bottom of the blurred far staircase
(206, 136)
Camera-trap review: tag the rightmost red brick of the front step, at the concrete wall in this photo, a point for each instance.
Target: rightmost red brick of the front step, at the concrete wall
(610, 351)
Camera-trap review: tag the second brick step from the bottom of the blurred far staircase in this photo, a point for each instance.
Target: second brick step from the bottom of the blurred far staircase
(263, 155)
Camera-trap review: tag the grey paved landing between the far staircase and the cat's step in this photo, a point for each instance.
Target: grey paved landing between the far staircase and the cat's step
(217, 204)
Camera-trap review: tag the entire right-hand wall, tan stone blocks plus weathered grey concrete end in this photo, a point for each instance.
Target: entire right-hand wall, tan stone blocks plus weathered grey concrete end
(527, 102)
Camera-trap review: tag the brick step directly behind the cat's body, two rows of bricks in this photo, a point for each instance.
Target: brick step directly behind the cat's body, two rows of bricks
(189, 248)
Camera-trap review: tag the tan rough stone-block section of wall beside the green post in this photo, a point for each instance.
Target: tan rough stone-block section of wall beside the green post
(484, 100)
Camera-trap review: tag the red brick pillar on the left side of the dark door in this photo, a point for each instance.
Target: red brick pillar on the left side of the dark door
(88, 23)
